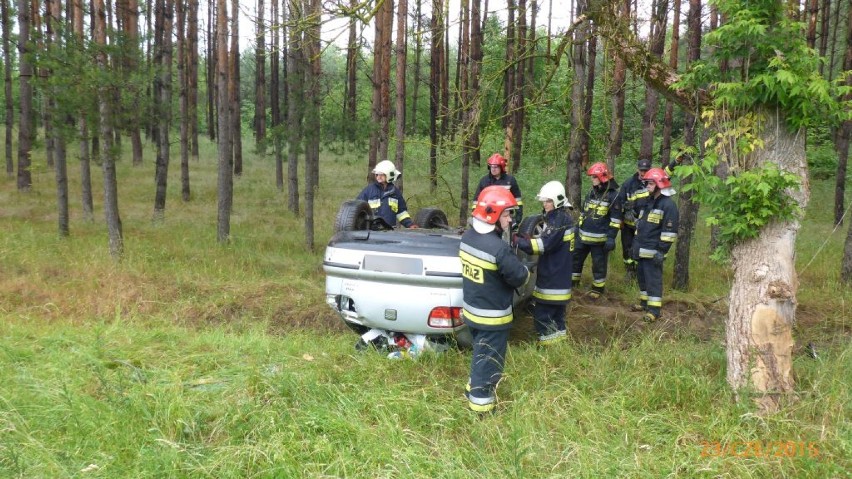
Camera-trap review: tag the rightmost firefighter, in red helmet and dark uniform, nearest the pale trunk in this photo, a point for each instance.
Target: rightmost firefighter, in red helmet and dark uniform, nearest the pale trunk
(656, 232)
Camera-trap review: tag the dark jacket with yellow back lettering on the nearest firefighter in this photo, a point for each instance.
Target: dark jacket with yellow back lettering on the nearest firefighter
(490, 272)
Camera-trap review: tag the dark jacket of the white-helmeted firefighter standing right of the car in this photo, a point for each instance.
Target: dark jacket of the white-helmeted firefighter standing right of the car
(555, 245)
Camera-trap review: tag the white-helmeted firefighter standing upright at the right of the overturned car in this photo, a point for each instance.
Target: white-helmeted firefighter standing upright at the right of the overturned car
(555, 245)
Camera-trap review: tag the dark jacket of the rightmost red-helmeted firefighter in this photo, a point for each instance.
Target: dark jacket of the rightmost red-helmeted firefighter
(656, 227)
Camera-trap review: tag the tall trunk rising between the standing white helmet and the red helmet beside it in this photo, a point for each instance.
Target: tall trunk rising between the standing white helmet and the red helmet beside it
(574, 172)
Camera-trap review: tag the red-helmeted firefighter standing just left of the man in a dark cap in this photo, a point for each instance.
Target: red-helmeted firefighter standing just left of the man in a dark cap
(600, 220)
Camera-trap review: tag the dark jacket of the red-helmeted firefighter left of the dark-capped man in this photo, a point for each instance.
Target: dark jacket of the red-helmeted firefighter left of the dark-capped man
(601, 215)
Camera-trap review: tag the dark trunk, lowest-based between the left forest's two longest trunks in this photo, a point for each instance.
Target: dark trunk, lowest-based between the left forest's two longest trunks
(165, 112)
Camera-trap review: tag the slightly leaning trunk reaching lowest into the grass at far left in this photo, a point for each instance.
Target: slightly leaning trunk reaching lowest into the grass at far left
(113, 219)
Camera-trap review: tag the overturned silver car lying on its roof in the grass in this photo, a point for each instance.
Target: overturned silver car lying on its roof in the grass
(405, 281)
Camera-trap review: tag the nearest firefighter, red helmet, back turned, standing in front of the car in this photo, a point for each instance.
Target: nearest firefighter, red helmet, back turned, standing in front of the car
(490, 274)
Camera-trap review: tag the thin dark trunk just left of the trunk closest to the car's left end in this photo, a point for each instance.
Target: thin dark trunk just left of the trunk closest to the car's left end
(295, 104)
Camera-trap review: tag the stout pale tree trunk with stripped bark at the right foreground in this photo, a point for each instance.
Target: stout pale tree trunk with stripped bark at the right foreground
(763, 295)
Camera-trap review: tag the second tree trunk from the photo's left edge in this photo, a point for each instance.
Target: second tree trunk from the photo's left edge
(25, 93)
